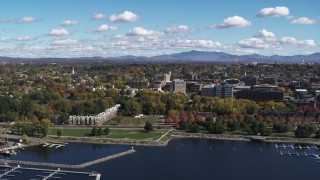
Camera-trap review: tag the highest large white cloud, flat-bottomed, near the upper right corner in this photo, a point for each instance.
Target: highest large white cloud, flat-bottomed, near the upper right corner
(274, 12)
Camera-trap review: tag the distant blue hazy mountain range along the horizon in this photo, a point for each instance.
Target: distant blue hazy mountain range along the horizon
(184, 57)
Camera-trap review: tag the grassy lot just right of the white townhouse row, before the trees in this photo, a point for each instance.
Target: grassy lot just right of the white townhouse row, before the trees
(134, 121)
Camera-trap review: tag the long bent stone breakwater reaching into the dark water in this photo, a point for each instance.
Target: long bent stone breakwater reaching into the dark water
(70, 166)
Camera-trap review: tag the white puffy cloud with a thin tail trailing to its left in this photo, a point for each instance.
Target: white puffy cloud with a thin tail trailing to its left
(234, 21)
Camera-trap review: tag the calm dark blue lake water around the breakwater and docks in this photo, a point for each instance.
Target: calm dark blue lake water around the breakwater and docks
(183, 159)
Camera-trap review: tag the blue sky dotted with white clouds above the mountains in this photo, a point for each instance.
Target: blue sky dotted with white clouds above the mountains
(109, 28)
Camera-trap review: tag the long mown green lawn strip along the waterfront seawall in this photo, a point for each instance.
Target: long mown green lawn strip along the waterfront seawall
(114, 133)
